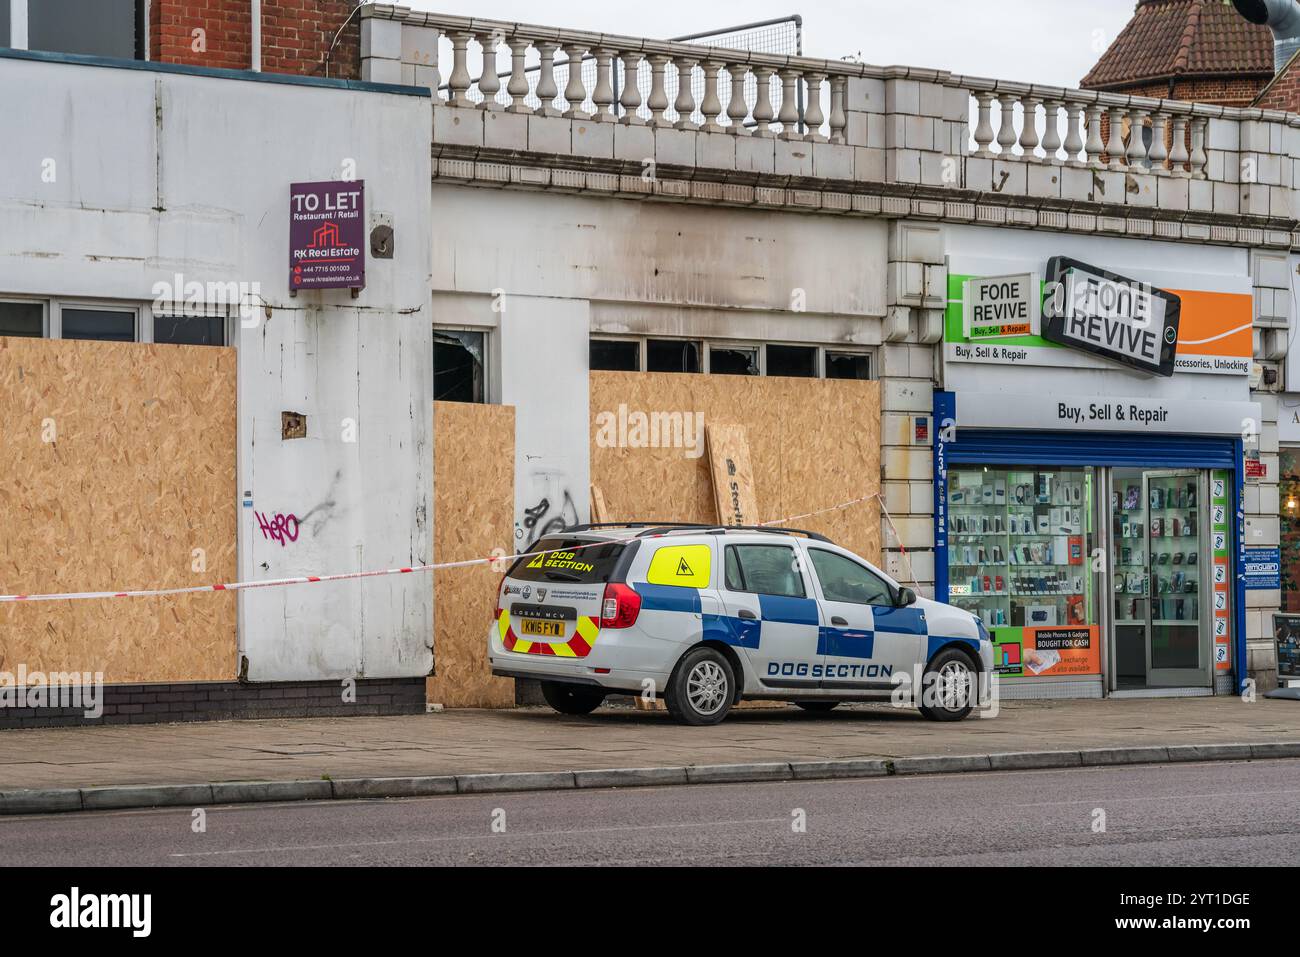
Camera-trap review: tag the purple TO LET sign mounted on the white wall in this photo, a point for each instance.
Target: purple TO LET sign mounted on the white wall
(327, 236)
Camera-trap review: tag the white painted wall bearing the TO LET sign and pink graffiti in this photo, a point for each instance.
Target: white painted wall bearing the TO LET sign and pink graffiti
(158, 174)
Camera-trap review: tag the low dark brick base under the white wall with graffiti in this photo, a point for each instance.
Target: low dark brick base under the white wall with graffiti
(207, 701)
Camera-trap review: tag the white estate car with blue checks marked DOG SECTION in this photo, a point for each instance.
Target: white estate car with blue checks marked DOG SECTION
(709, 617)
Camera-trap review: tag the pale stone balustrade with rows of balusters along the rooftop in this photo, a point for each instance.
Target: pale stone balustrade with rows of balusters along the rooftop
(807, 118)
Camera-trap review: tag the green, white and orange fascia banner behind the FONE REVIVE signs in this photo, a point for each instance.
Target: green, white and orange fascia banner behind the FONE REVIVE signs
(1212, 331)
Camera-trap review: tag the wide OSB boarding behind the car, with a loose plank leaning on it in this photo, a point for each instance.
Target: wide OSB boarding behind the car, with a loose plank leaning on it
(813, 444)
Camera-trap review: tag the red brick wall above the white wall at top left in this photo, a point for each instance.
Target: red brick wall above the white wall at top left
(296, 36)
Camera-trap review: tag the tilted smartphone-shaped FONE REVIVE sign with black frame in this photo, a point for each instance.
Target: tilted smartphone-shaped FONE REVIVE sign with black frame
(1111, 317)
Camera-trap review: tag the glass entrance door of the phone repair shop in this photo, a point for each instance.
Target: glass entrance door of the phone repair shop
(1159, 560)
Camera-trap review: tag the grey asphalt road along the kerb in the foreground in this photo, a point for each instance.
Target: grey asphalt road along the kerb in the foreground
(1217, 813)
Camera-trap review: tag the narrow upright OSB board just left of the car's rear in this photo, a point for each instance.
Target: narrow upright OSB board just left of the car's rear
(474, 514)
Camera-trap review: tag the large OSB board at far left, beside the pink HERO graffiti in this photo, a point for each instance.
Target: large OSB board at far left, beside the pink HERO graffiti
(140, 475)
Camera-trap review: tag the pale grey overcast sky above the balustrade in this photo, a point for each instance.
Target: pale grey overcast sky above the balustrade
(1041, 41)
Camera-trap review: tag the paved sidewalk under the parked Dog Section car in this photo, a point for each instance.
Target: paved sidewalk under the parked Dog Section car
(473, 742)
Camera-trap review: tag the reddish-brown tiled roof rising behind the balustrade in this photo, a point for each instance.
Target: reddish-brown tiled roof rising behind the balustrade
(1184, 38)
